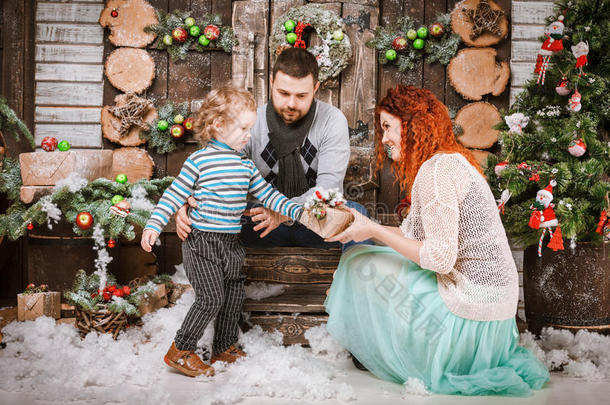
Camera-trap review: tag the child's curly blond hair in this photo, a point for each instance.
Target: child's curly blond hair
(220, 105)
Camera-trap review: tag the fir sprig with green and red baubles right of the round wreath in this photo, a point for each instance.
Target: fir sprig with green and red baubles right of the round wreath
(404, 42)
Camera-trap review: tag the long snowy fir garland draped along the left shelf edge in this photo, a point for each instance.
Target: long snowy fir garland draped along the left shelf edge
(94, 198)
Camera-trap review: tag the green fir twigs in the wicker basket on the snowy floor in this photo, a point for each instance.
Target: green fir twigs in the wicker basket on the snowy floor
(86, 295)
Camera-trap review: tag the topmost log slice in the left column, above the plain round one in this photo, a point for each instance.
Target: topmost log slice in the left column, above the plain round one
(127, 28)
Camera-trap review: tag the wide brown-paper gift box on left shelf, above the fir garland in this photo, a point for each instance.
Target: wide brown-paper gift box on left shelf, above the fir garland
(47, 168)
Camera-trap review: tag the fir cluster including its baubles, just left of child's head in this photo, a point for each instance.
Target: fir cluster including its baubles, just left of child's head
(168, 132)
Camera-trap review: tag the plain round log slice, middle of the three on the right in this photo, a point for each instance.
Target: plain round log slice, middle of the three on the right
(474, 72)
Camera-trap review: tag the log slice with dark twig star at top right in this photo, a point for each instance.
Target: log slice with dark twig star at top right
(461, 24)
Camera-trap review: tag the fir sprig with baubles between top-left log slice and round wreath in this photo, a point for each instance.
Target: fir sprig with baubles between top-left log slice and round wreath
(179, 50)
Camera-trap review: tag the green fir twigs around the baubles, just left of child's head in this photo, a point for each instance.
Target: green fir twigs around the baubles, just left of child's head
(161, 140)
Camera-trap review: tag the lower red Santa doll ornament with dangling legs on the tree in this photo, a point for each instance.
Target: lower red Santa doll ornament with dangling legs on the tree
(543, 217)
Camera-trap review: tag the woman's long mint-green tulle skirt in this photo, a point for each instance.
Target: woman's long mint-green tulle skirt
(386, 310)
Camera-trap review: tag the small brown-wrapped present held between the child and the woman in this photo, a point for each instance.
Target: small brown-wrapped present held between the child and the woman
(326, 214)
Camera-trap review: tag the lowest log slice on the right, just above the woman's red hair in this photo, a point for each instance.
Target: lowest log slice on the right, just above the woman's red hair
(477, 121)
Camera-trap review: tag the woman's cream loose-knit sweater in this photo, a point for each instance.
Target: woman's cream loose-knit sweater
(454, 214)
